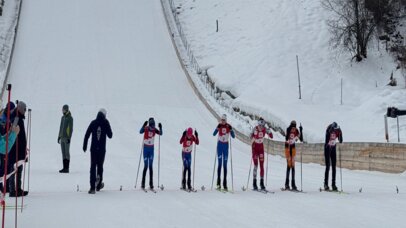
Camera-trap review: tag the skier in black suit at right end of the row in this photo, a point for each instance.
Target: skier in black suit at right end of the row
(333, 133)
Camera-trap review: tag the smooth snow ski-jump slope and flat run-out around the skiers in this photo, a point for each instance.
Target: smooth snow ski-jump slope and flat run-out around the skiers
(102, 54)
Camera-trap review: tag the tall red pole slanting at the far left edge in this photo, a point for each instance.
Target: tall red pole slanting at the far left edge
(3, 200)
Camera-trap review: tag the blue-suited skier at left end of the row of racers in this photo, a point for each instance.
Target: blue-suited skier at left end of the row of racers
(148, 148)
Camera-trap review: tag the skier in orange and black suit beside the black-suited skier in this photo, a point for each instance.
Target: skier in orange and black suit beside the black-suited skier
(292, 135)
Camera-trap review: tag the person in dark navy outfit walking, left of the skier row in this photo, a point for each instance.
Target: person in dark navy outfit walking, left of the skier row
(99, 129)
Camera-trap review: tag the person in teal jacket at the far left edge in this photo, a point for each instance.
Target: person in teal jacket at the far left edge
(3, 141)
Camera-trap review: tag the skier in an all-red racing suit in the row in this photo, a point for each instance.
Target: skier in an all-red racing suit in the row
(257, 139)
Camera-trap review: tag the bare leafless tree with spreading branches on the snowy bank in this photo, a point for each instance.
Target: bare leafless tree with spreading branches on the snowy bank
(352, 27)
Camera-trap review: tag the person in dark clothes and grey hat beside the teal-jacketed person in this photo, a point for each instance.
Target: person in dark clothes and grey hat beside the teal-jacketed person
(18, 152)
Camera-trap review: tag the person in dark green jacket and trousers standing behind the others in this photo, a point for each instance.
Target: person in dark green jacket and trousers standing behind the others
(64, 137)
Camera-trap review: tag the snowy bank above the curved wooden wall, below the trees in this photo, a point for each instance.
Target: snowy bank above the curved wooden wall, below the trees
(253, 55)
